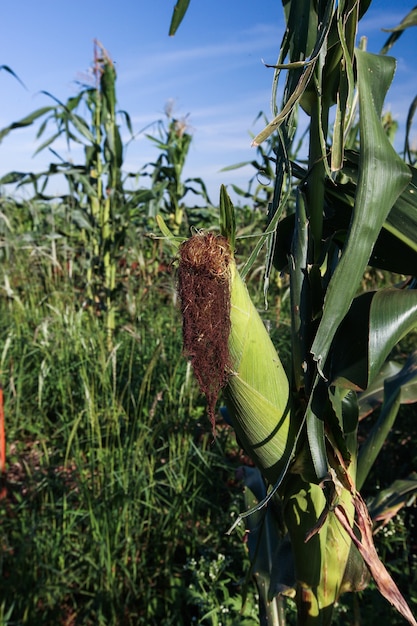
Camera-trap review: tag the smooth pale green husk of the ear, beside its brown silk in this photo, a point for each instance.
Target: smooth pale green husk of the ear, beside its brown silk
(257, 394)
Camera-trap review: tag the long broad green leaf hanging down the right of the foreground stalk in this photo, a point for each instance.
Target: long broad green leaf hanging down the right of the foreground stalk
(382, 177)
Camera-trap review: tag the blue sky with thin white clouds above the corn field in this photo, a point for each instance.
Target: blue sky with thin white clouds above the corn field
(212, 69)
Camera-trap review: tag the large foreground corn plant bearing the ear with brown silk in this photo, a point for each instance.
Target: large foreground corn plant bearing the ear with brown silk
(355, 207)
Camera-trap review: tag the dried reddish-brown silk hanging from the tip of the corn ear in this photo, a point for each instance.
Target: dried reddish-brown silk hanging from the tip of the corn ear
(204, 290)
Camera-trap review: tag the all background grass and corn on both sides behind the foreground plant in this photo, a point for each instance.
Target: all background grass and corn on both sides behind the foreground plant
(116, 491)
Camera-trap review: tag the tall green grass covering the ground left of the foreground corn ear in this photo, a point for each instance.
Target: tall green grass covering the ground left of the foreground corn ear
(118, 497)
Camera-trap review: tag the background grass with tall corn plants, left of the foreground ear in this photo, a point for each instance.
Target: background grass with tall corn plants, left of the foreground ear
(117, 494)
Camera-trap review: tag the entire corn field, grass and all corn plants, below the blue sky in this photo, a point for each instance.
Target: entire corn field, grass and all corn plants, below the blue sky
(207, 413)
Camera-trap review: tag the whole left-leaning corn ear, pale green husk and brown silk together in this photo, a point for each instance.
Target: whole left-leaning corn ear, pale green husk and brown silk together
(230, 349)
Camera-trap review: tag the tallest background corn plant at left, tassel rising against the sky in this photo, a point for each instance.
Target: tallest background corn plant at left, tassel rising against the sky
(98, 209)
